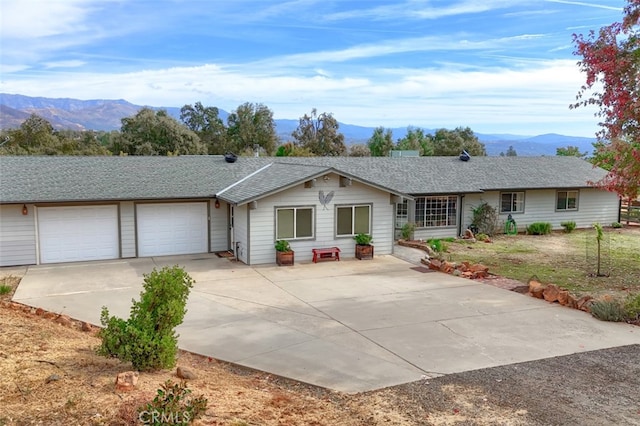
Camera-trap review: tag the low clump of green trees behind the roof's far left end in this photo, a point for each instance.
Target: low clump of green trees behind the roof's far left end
(36, 136)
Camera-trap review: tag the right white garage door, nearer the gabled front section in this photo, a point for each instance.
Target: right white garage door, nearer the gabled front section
(176, 228)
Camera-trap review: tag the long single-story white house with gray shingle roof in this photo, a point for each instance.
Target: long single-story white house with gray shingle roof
(66, 209)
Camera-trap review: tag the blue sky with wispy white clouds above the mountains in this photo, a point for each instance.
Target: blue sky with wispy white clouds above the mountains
(497, 66)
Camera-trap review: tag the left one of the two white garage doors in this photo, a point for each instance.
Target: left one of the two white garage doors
(69, 234)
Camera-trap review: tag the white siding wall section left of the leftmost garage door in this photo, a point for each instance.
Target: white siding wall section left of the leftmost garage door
(17, 235)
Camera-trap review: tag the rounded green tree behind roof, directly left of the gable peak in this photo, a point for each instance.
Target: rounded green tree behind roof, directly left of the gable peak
(251, 126)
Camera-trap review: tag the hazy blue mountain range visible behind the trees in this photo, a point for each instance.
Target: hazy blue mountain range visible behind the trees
(103, 114)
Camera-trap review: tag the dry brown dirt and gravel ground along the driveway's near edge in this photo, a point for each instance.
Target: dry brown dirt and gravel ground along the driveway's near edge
(52, 376)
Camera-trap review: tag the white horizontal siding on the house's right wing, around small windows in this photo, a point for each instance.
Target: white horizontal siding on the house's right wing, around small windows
(594, 205)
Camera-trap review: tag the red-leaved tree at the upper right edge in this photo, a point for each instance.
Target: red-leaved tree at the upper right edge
(611, 62)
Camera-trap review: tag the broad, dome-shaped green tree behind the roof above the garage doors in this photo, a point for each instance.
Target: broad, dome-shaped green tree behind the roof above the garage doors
(152, 132)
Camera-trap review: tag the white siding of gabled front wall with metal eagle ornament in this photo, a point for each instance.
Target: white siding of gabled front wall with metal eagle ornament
(262, 219)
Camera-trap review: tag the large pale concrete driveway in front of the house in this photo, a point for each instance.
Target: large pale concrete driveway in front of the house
(351, 325)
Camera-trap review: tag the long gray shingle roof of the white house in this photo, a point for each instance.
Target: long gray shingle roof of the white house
(49, 179)
